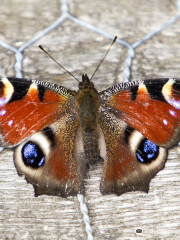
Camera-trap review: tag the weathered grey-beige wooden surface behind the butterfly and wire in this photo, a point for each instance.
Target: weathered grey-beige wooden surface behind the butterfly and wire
(22, 216)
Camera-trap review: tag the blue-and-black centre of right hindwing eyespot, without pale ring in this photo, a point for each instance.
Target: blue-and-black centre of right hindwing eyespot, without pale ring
(147, 151)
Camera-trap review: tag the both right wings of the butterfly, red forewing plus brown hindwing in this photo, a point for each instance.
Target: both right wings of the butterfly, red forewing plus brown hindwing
(139, 120)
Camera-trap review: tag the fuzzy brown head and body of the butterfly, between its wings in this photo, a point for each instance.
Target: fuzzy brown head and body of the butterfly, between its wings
(87, 105)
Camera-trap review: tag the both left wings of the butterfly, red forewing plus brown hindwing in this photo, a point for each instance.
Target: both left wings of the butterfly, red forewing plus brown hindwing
(39, 120)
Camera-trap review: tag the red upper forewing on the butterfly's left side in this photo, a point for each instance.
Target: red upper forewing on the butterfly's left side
(27, 107)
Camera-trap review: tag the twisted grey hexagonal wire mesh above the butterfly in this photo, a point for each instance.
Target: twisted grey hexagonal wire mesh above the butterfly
(65, 15)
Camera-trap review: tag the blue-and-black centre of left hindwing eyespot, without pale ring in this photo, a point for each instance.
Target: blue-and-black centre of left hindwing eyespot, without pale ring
(32, 155)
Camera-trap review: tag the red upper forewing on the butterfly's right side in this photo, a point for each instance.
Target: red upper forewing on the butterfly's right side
(150, 106)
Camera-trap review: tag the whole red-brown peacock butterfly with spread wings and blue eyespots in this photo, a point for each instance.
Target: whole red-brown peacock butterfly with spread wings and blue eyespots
(55, 132)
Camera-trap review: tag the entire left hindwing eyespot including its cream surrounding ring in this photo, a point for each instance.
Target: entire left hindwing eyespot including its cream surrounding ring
(32, 155)
